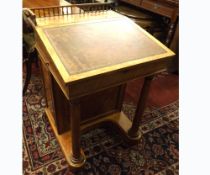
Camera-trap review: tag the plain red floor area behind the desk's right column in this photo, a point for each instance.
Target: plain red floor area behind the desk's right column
(163, 91)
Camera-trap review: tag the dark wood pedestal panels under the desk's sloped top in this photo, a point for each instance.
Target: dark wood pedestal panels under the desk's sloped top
(93, 106)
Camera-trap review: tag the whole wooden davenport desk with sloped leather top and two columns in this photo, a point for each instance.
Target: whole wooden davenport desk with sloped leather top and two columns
(86, 61)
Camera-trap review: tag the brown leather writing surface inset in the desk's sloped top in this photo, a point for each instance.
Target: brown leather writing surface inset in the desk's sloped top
(89, 46)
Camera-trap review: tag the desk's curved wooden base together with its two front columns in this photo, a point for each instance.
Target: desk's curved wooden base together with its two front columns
(70, 140)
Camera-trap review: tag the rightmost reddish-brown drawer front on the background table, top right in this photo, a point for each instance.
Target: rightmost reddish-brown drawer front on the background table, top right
(157, 7)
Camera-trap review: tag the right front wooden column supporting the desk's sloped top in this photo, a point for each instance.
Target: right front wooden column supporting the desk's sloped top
(133, 132)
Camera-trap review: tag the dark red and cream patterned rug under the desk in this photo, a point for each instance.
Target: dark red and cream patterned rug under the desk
(157, 152)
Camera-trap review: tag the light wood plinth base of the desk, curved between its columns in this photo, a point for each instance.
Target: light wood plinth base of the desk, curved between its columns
(119, 120)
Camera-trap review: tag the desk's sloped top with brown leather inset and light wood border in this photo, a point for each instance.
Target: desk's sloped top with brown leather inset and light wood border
(88, 45)
